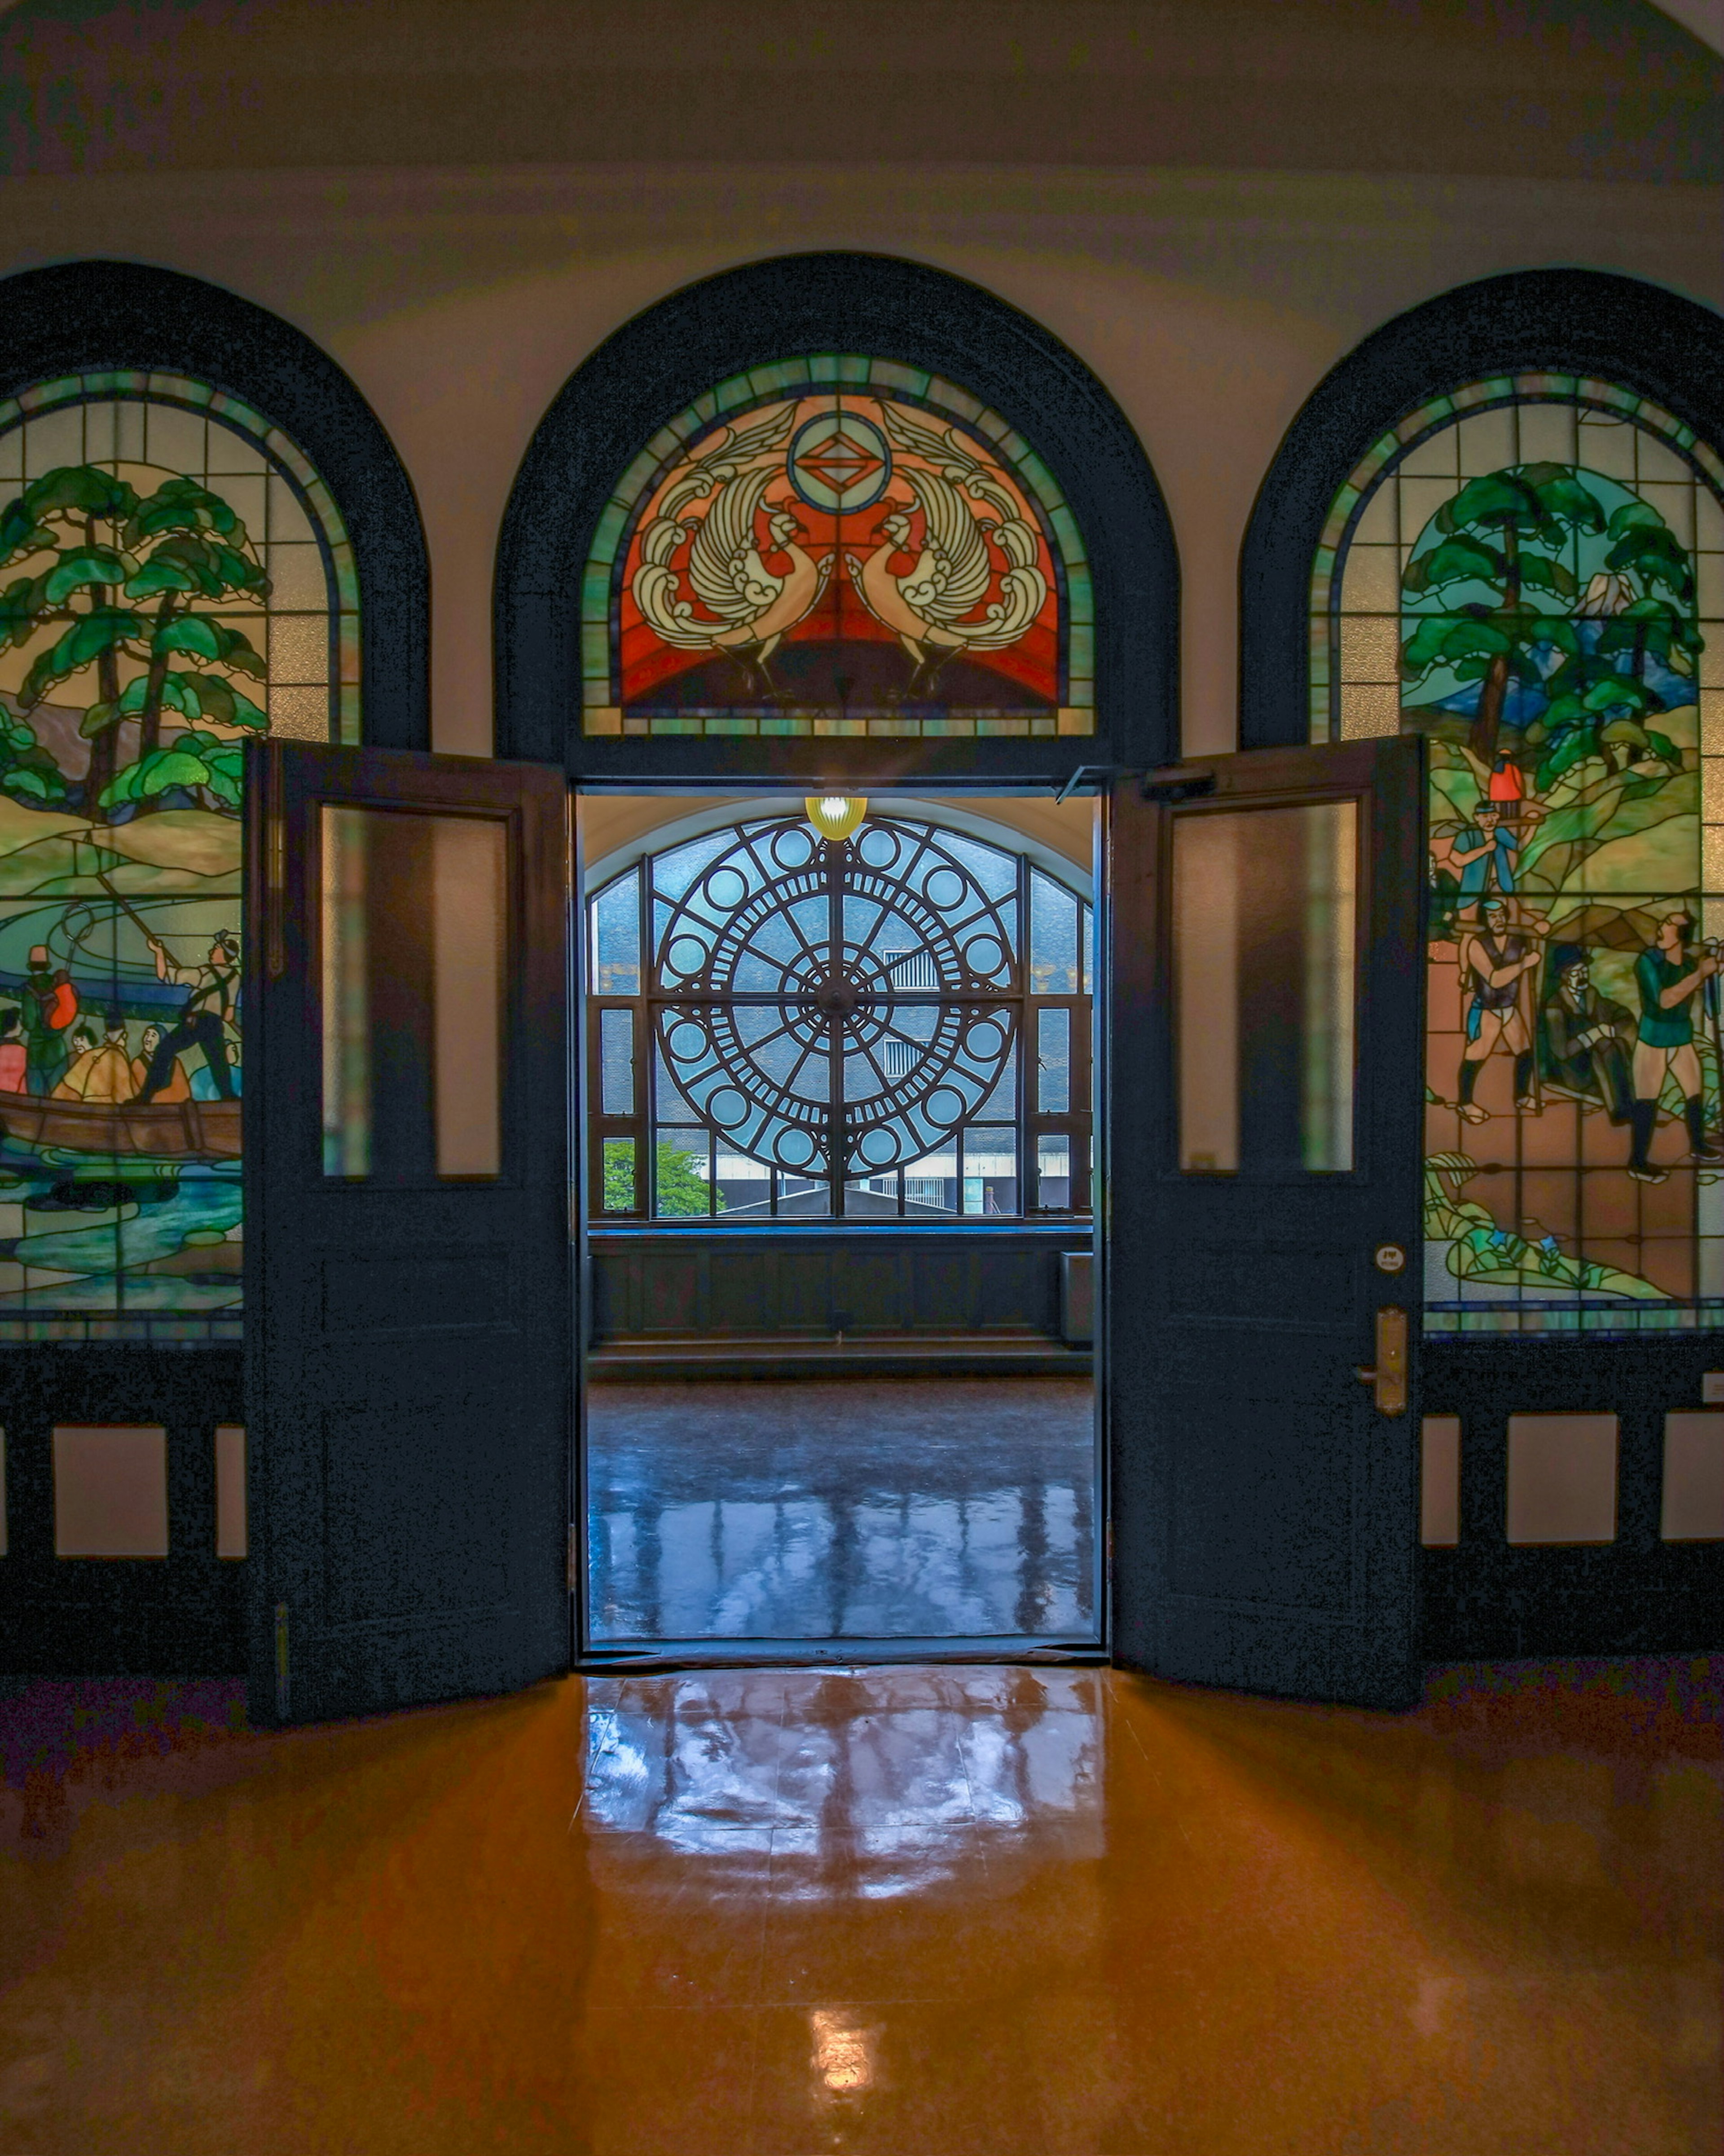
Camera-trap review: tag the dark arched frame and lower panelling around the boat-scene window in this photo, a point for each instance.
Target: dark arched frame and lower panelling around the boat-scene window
(184, 1616)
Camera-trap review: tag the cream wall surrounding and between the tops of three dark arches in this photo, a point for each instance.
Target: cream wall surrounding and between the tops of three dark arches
(1208, 303)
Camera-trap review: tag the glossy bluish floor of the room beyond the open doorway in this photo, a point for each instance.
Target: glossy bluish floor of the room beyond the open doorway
(844, 1508)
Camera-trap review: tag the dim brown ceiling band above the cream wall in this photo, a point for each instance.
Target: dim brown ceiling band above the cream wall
(1598, 89)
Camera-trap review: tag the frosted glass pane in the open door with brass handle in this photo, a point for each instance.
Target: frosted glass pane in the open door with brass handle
(1264, 922)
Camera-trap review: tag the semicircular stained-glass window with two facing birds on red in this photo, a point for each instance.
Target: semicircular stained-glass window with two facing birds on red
(837, 547)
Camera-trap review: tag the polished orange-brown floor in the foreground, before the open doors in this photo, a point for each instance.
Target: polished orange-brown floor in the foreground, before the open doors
(960, 1911)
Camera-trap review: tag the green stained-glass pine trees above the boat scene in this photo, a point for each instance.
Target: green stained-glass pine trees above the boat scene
(130, 588)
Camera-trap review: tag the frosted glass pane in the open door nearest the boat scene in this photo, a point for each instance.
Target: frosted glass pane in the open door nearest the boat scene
(413, 995)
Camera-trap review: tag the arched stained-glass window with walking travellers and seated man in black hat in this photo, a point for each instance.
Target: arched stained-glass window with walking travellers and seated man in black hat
(1531, 572)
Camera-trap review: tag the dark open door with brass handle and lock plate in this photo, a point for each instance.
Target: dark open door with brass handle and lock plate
(1264, 1219)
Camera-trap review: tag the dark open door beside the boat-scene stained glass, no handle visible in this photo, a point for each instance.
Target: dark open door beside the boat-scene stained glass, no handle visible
(408, 1280)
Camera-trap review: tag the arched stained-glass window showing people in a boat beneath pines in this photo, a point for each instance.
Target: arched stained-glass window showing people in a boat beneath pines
(173, 581)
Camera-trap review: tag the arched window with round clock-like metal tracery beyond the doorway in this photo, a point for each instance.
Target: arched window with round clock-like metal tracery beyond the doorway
(893, 1025)
